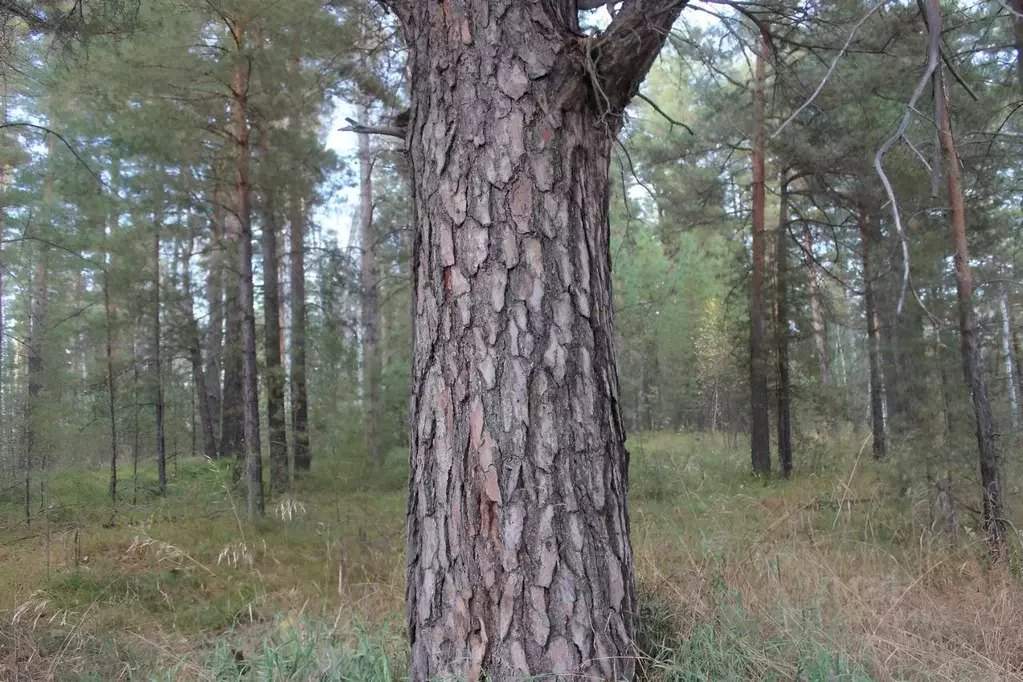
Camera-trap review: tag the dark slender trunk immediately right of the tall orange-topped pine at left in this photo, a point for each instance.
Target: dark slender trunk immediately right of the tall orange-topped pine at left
(275, 377)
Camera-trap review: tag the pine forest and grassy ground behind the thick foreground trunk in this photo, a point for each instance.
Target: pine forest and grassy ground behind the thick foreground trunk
(207, 321)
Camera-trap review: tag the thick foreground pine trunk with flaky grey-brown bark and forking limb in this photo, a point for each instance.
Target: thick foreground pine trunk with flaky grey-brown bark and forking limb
(519, 555)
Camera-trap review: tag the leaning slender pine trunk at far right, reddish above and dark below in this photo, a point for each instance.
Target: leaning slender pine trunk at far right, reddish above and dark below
(973, 366)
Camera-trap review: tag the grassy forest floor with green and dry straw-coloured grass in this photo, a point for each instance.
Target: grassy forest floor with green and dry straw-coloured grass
(836, 575)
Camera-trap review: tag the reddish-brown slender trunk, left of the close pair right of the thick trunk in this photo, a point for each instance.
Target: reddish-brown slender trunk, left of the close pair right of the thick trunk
(760, 418)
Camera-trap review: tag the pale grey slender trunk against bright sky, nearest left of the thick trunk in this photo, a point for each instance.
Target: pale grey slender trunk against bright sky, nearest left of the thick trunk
(371, 363)
